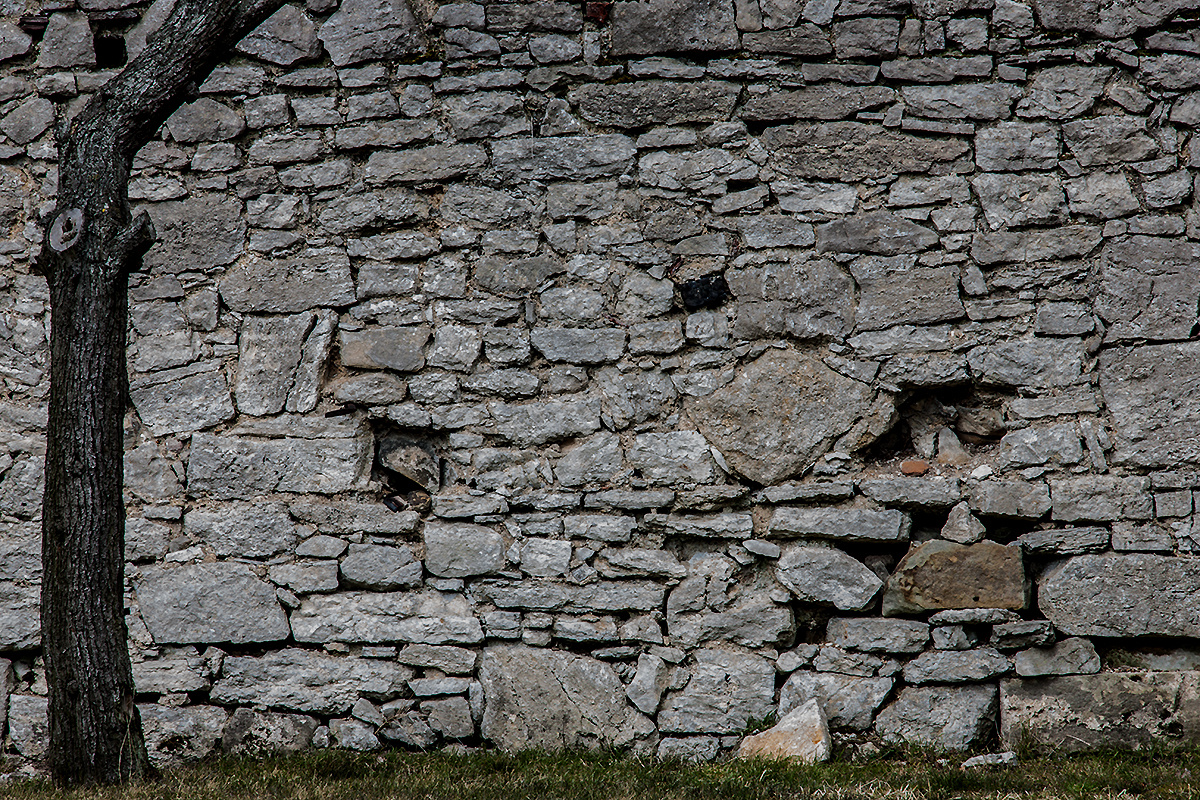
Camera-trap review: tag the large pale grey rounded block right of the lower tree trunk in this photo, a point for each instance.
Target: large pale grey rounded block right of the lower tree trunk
(202, 604)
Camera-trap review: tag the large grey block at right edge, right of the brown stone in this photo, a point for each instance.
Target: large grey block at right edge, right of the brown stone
(1130, 594)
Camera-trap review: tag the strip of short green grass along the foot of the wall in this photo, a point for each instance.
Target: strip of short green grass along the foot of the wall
(608, 777)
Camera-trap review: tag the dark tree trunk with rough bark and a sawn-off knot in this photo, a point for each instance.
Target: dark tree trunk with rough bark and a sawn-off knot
(92, 245)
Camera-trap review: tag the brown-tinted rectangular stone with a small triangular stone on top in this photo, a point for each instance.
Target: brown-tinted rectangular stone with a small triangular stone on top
(938, 575)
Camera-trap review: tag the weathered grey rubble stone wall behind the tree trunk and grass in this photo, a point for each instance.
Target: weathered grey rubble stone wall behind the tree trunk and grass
(573, 375)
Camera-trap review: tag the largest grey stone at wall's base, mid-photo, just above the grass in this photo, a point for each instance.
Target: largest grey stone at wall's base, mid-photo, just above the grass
(555, 701)
